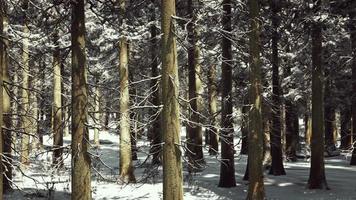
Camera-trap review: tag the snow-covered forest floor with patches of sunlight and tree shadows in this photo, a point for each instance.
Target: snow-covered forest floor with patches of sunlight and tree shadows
(41, 181)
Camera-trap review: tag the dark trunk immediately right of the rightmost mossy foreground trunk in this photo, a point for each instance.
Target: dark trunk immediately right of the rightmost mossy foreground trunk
(276, 145)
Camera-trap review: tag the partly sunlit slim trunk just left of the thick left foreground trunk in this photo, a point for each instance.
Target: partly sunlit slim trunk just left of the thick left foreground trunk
(57, 106)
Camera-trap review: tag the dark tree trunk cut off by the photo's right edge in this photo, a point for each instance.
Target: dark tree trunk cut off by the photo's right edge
(352, 15)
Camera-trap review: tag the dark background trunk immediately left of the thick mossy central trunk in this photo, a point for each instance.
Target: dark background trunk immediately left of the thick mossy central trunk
(155, 135)
